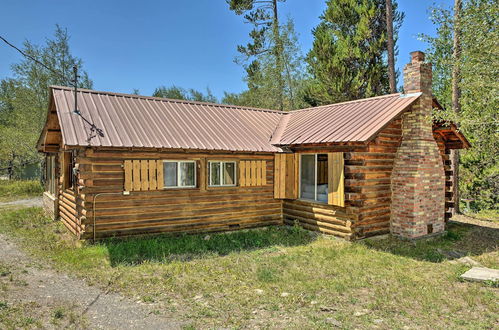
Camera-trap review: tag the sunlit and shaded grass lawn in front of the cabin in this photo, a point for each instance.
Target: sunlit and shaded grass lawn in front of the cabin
(280, 277)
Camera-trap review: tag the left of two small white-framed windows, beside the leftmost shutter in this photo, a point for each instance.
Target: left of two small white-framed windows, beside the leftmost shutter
(179, 173)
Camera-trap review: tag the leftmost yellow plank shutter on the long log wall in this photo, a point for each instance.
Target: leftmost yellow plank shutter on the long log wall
(143, 175)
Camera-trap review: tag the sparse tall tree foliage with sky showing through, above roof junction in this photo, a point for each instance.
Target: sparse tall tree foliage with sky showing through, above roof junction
(272, 59)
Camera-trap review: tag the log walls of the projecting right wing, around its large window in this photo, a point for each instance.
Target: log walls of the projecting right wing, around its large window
(368, 171)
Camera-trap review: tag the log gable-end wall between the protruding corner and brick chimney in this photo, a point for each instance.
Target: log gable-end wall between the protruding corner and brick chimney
(368, 182)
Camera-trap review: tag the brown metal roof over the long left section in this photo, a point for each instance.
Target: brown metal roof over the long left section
(138, 121)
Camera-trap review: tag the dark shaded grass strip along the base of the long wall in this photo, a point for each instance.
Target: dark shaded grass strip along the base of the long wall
(167, 248)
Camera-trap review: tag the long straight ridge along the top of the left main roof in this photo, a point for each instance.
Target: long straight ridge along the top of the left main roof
(167, 99)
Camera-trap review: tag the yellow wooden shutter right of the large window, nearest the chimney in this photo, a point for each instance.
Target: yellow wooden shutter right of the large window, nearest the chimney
(336, 178)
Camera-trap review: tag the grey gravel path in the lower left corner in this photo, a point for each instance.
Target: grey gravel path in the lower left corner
(48, 289)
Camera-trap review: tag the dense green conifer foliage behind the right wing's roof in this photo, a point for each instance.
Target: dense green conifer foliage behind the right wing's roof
(348, 57)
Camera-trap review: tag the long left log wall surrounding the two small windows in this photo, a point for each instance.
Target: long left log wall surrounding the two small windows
(172, 210)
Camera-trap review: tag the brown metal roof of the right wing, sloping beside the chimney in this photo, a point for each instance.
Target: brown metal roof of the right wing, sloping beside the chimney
(353, 121)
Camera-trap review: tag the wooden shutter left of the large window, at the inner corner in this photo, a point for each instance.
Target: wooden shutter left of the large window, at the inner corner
(285, 176)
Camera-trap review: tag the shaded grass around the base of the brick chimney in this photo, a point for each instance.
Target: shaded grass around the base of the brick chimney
(462, 239)
